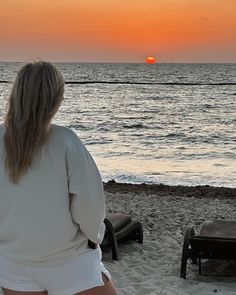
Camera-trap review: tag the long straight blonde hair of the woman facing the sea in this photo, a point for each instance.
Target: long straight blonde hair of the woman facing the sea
(35, 98)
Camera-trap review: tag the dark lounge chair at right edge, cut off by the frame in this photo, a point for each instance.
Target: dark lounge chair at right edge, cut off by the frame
(217, 240)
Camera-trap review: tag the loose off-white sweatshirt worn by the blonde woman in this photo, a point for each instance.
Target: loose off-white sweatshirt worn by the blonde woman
(48, 217)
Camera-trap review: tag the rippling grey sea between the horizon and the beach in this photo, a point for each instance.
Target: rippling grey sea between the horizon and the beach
(150, 123)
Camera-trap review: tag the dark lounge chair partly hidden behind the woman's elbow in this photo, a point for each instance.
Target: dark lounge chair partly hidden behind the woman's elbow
(119, 227)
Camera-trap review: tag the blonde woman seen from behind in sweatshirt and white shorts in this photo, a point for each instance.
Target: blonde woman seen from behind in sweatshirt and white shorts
(51, 196)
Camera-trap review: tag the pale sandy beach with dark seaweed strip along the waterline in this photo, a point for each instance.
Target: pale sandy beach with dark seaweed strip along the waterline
(165, 212)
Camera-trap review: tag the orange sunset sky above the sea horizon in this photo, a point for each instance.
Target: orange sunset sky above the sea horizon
(118, 30)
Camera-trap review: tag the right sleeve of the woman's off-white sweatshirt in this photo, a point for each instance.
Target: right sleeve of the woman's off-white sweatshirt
(87, 202)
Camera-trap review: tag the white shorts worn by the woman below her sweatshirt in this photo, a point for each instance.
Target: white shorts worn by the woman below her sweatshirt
(77, 275)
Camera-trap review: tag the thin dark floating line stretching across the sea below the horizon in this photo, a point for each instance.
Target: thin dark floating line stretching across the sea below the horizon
(143, 83)
